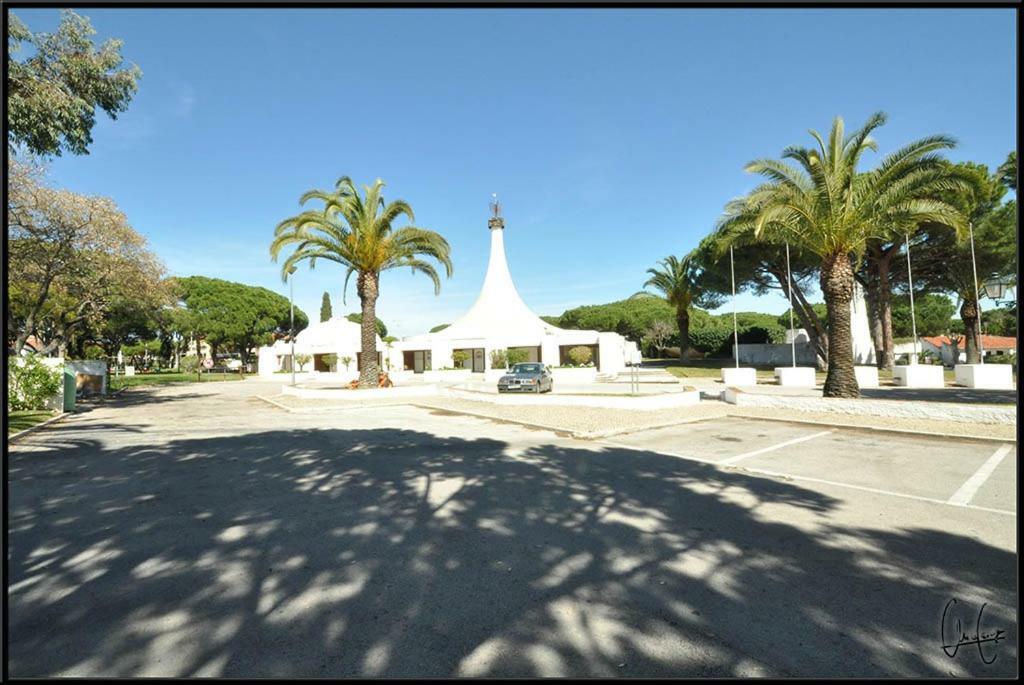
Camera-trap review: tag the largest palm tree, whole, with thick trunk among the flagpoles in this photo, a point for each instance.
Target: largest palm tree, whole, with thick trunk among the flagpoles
(826, 206)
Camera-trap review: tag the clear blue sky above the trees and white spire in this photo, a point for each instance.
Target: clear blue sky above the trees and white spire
(614, 138)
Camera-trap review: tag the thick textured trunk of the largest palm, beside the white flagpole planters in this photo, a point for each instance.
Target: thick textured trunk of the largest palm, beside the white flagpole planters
(837, 286)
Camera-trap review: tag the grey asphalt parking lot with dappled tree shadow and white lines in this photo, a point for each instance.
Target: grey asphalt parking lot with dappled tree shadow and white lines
(200, 532)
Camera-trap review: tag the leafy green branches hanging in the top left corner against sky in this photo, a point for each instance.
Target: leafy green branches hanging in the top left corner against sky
(53, 95)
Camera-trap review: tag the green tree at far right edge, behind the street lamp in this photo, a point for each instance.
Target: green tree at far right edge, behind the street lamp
(943, 260)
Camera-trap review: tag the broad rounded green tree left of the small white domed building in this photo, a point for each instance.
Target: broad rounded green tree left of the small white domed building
(224, 313)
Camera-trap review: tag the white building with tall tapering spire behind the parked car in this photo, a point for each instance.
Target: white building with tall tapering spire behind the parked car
(500, 320)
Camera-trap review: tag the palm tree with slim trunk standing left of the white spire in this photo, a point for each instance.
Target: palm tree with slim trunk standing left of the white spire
(357, 233)
